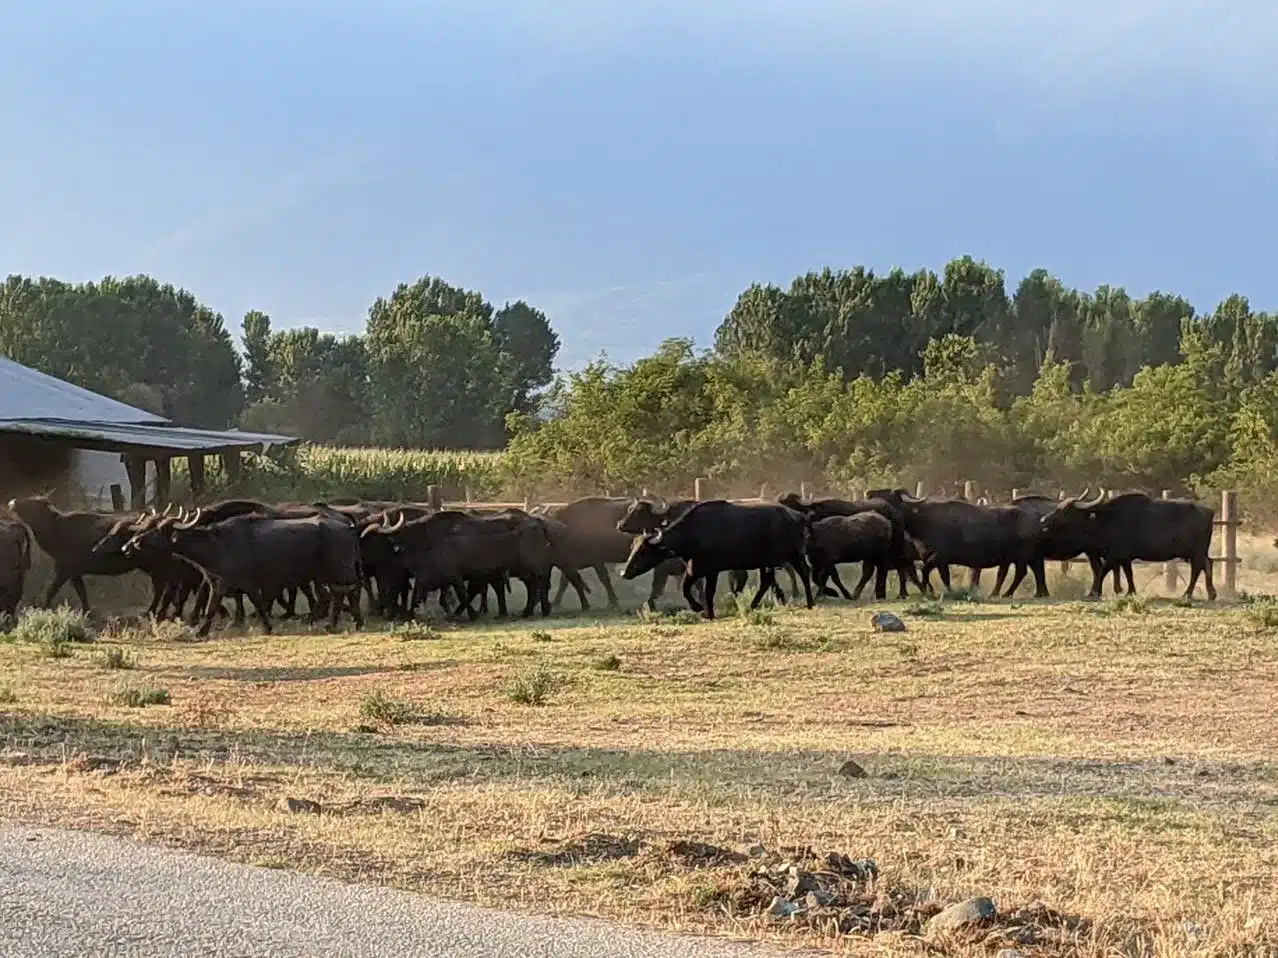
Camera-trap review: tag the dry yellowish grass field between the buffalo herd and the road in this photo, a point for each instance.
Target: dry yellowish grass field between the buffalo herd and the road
(1115, 764)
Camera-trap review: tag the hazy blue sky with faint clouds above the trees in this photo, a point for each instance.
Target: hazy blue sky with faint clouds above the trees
(631, 168)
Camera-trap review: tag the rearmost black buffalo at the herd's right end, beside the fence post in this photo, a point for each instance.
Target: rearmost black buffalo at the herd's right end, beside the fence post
(1136, 528)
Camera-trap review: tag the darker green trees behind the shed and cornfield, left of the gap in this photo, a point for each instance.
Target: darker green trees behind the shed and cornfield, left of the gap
(438, 366)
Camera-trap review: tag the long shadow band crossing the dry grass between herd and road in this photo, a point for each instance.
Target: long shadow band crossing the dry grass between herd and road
(716, 773)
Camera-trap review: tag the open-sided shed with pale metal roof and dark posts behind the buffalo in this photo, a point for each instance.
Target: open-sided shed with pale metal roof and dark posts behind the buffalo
(53, 430)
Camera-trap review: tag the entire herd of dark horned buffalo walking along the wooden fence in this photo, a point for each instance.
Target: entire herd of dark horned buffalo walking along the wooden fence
(399, 554)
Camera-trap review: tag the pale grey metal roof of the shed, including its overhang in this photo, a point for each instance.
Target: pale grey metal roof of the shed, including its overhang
(38, 404)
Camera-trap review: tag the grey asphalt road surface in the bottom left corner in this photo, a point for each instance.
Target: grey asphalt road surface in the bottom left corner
(76, 893)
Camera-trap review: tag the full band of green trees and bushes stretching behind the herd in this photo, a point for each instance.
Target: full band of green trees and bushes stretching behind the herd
(845, 377)
